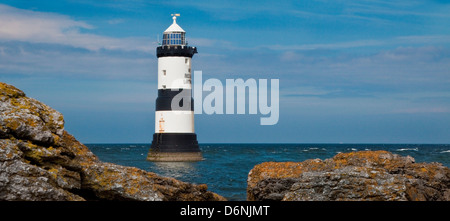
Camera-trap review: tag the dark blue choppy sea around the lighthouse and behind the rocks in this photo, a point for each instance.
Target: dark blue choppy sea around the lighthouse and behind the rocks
(225, 166)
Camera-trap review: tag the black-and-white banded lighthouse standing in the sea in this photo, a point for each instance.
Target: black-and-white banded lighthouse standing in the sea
(174, 138)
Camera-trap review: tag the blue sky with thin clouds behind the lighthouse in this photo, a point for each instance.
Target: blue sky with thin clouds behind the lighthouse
(366, 71)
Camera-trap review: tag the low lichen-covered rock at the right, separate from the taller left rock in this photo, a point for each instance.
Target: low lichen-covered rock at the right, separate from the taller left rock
(364, 175)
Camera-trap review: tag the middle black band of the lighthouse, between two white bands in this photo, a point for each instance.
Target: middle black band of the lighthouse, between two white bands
(182, 96)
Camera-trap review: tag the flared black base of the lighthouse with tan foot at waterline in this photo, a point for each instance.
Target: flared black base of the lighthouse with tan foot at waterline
(172, 147)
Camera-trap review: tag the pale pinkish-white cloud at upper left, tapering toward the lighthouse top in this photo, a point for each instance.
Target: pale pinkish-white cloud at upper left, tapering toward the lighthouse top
(39, 27)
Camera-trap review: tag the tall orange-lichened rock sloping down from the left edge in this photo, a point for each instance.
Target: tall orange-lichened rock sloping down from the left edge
(39, 160)
